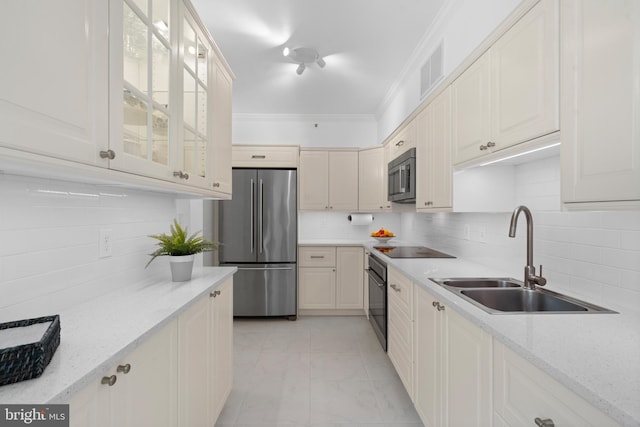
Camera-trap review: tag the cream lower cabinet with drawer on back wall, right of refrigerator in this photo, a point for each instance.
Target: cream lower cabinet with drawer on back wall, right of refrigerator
(331, 278)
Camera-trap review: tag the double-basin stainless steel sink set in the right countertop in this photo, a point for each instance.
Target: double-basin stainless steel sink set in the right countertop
(506, 295)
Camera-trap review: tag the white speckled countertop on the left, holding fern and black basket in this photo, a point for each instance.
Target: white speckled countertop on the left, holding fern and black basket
(97, 334)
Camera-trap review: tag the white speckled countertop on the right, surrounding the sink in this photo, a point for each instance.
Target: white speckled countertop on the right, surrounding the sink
(597, 356)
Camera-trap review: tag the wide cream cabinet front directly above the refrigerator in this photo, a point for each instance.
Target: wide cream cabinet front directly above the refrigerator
(265, 156)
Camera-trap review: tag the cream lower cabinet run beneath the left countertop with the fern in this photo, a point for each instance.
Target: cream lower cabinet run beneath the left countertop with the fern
(181, 376)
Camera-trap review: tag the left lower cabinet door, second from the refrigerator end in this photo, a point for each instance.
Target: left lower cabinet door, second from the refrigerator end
(194, 354)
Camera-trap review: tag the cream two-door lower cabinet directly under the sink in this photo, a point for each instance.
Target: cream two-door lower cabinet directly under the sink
(452, 366)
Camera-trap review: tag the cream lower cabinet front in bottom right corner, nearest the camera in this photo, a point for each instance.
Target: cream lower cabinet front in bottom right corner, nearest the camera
(524, 393)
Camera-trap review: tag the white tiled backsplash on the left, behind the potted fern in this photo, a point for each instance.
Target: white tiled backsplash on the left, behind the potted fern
(49, 233)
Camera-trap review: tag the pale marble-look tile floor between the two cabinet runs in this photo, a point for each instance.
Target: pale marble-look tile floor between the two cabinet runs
(314, 372)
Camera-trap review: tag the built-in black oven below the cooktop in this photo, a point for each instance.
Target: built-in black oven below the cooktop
(378, 298)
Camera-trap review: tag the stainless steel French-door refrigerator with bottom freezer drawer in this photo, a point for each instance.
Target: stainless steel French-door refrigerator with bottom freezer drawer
(258, 233)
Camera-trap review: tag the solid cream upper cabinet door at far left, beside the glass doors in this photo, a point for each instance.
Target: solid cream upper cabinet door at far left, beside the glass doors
(55, 81)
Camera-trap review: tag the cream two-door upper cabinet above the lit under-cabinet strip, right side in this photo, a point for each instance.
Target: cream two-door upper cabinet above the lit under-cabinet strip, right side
(511, 93)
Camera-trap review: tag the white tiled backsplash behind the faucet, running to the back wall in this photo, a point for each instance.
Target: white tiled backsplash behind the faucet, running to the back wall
(592, 255)
